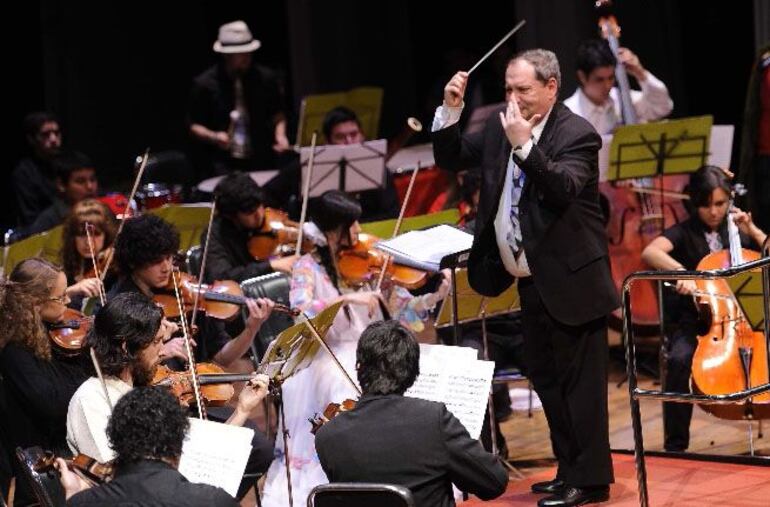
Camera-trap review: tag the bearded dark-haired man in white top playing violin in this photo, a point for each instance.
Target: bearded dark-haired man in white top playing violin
(127, 338)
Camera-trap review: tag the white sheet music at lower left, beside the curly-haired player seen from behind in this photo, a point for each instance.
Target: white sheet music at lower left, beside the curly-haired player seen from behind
(214, 453)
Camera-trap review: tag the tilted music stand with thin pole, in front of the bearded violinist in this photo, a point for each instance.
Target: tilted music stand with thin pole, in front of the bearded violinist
(293, 349)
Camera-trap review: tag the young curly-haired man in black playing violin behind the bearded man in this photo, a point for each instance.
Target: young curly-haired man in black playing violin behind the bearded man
(144, 252)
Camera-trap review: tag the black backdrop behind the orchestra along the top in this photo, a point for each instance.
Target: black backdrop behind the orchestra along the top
(118, 73)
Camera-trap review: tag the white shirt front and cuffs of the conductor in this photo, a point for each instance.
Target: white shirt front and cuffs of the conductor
(516, 265)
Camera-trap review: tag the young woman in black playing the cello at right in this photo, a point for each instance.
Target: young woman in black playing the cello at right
(681, 247)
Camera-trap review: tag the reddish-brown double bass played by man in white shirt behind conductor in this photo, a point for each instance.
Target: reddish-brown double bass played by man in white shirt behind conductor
(636, 215)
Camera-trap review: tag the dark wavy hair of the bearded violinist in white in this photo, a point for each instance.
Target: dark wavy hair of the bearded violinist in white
(122, 328)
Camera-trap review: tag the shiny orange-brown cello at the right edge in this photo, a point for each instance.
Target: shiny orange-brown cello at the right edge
(730, 356)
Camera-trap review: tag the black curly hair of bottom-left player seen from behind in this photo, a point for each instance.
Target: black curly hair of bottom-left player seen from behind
(147, 423)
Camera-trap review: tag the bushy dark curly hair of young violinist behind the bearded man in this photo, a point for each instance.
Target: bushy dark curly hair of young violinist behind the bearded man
(144, 240)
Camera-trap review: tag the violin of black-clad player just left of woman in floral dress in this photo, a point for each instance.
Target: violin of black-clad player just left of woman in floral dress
(276, 237)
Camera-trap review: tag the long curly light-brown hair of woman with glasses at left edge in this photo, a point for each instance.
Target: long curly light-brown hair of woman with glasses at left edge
(29, 285)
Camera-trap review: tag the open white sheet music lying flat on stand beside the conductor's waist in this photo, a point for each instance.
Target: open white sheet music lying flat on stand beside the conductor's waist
(425, 248)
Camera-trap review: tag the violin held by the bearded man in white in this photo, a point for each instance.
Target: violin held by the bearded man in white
(215, 385)
